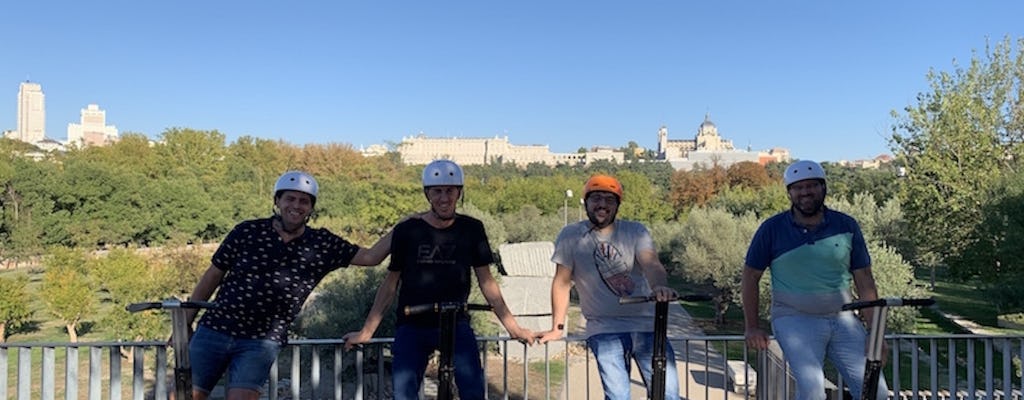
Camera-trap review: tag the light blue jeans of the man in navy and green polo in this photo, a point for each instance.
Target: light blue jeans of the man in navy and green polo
(807, 340)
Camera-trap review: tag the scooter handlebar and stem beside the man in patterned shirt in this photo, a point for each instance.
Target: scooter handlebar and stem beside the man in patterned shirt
(180, 339)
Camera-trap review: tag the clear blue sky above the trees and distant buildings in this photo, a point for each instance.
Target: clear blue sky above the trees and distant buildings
(817, 77)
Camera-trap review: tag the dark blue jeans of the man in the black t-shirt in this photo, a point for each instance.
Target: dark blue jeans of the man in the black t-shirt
(413, 348)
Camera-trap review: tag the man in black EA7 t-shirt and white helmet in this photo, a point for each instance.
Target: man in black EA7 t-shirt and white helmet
(433, 258)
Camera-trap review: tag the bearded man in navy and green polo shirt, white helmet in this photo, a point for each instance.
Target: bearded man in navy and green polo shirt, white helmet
(814, 253)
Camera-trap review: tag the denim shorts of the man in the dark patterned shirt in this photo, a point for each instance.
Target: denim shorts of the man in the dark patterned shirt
(247, 362)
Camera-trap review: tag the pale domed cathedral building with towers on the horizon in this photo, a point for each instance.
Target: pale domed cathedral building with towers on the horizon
(709, 150)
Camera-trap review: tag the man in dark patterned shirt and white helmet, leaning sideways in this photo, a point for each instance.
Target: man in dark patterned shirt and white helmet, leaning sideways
(264, 272)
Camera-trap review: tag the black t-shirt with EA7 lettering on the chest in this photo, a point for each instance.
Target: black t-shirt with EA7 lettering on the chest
(437, 265)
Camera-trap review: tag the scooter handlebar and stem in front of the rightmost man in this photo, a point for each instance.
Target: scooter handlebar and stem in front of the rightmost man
(876, 339)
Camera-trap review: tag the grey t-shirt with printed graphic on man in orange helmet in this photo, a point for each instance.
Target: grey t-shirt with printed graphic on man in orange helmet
(605, 270)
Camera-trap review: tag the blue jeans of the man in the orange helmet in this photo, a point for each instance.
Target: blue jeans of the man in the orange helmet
(614, 352)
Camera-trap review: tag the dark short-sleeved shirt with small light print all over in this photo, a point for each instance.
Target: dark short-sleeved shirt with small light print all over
(268, 281)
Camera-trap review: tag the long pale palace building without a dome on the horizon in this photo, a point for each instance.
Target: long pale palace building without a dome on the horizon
(421, 150)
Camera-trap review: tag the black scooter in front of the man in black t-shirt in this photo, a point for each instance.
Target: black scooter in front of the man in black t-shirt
(448, 314)
